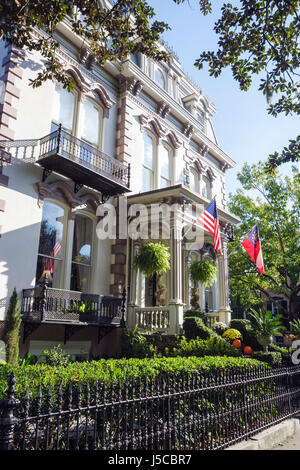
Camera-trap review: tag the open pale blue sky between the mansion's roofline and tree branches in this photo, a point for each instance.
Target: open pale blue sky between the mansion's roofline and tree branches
(243, 128)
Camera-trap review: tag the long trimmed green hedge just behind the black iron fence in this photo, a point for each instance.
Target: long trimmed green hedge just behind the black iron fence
(116, 371)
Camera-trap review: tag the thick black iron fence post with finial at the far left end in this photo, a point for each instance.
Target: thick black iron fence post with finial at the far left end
(7, 419)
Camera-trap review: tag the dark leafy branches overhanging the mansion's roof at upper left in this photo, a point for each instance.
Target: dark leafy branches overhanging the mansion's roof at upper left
(108, 34)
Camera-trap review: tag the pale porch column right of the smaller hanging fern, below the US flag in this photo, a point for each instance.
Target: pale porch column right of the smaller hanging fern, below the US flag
(224, 303)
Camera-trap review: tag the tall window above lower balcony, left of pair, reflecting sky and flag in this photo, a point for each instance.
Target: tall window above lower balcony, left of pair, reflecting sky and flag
(50, 253)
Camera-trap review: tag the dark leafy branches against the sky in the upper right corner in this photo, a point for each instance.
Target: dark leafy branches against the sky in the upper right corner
(261, 37)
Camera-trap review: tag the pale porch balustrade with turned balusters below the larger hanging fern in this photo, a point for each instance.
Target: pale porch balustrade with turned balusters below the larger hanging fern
(152, 318)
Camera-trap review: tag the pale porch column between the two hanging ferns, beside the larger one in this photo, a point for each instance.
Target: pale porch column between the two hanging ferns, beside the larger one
(176, 279)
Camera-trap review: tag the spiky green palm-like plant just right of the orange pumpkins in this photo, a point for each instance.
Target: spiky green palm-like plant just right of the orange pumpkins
(265, 326)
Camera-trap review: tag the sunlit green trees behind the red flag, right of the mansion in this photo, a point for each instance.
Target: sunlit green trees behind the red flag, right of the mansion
(276, 211)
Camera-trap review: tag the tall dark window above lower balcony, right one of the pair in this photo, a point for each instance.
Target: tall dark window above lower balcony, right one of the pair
(82, 253)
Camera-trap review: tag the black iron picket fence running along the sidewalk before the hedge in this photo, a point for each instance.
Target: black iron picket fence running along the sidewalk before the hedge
(174, 412)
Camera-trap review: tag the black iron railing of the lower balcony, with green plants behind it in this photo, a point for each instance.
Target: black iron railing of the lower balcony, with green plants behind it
(46, 304)
